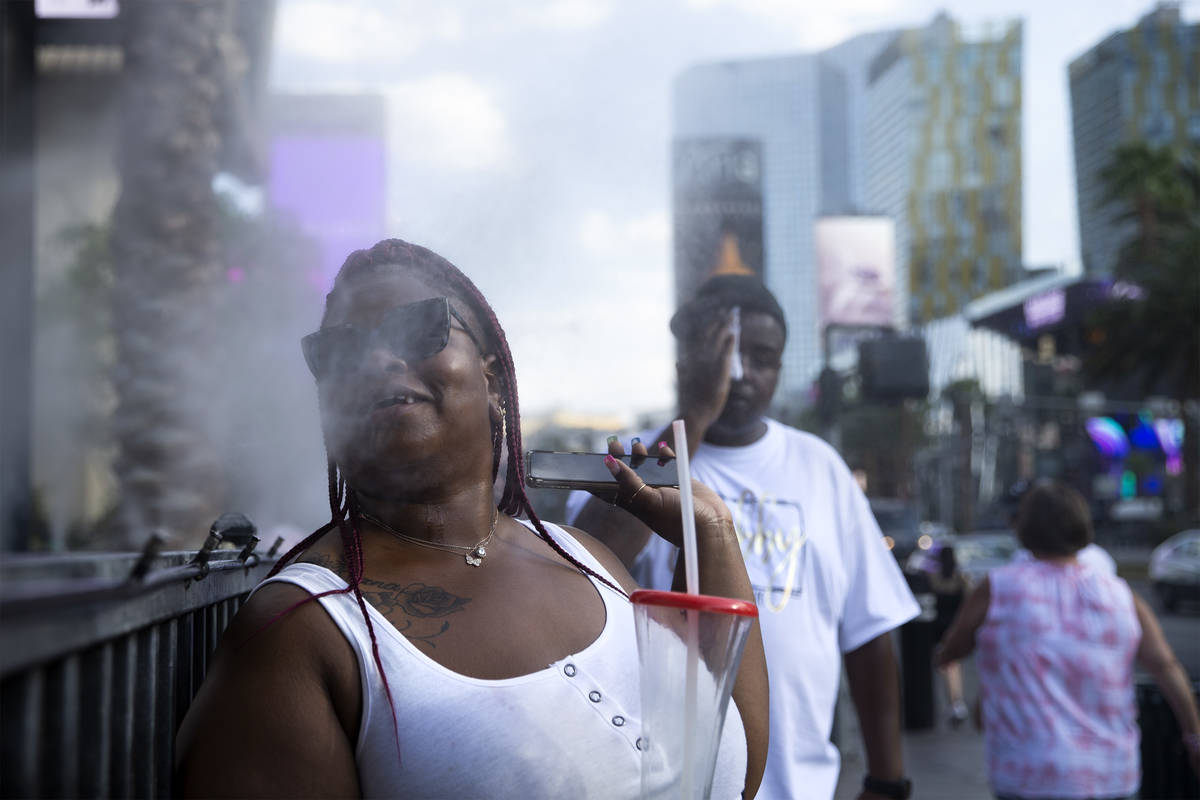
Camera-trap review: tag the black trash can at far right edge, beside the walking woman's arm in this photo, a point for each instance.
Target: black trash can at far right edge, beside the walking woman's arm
(1166, 772)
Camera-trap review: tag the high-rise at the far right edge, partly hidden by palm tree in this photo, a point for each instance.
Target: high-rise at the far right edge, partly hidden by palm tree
(1138, 85)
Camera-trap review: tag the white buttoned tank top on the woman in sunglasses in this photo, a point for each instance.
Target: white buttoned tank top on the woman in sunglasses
(569, 731)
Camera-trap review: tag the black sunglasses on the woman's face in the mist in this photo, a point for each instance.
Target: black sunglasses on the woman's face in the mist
(413, 333)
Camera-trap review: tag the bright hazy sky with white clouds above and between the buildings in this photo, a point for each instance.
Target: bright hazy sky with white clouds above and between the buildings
(529, 142)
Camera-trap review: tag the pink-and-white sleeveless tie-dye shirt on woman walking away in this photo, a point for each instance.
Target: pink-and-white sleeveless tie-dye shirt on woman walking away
(1055, 659)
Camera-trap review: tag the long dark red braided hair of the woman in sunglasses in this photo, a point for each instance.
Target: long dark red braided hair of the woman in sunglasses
(389, 257)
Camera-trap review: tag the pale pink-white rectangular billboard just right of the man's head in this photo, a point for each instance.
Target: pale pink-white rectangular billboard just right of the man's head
(856, 272)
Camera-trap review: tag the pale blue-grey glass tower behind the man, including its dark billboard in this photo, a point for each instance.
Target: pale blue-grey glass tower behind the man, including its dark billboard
(778, 141)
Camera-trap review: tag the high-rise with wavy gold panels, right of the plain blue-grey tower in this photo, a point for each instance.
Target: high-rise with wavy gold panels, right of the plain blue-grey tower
(944, 160)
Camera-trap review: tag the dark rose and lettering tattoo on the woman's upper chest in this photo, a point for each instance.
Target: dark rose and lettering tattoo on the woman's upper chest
(417, 610)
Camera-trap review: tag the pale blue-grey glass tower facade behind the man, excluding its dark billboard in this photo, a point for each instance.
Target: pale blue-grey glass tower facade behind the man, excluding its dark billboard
(803, 113)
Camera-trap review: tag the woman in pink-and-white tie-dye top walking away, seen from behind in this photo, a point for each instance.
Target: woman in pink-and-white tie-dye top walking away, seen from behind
(1058, 641)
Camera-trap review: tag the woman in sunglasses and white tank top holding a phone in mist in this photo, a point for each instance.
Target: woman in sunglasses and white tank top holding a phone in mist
(425, 642)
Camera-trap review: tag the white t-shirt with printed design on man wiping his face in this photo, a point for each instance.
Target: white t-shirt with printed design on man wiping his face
(824, 581)
